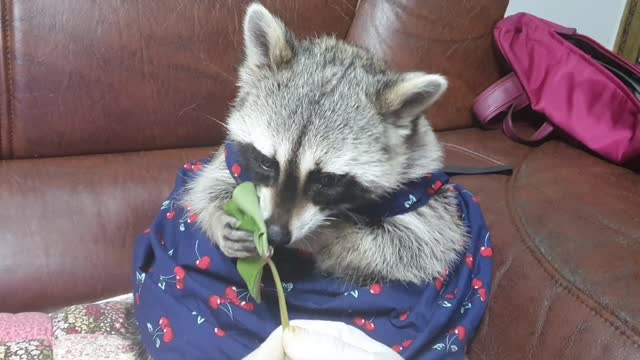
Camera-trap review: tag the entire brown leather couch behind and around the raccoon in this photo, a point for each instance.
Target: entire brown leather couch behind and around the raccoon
(102, 101)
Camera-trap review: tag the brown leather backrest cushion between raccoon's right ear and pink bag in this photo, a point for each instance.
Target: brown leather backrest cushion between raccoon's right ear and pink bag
(449, 37)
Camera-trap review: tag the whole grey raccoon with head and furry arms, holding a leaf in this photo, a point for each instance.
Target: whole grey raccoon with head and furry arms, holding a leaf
(323, 128)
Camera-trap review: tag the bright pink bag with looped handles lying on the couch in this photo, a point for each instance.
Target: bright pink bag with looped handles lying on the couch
(585, 90)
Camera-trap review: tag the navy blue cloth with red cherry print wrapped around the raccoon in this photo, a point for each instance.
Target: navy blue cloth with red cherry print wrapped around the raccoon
(191, 302)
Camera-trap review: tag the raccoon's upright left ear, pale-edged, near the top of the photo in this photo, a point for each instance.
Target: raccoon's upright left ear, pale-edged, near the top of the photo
(267, 41)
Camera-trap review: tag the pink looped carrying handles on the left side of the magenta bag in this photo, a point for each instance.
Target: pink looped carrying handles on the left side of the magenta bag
(507, 95)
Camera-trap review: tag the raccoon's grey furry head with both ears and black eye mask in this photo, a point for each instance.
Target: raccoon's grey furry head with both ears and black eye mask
(324, 128)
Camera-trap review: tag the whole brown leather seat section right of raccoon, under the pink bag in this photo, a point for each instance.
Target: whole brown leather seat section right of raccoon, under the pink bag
(565, 229)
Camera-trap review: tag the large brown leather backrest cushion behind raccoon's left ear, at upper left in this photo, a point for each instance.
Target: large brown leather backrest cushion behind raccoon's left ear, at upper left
(107, 76)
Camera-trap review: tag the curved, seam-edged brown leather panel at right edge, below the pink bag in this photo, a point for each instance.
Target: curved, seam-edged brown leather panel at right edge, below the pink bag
(584, 216)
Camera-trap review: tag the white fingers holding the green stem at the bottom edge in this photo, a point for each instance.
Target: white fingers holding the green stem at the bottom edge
(320, 340)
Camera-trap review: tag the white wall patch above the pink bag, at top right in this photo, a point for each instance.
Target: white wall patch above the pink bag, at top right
(598, 19)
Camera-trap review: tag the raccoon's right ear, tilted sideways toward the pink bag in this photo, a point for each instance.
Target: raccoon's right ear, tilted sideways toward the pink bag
(407, 96)
